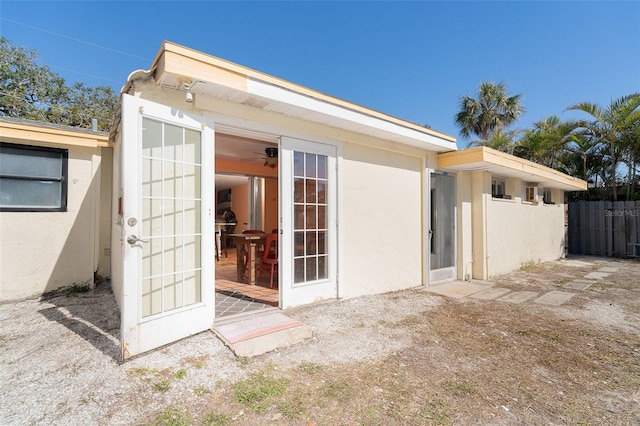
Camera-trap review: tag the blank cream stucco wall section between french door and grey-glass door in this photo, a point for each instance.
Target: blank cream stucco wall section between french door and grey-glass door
(381, 221)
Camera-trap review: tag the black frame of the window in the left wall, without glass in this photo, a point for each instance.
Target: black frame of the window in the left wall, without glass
(64, 158)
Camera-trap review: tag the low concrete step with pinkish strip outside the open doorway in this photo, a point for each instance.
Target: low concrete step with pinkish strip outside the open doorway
(260, 334)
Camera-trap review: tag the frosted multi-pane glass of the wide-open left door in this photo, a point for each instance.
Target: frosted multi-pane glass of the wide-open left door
(171, 217)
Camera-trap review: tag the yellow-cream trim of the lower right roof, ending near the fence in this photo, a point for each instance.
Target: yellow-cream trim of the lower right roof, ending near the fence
(490, 157)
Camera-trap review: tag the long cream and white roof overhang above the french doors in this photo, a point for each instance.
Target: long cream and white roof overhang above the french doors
(182, 68)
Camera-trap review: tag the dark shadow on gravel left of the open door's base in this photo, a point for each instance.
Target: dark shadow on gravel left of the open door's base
(93, 315)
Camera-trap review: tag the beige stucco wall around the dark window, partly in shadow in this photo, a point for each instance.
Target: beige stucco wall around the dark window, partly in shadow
(46, 251)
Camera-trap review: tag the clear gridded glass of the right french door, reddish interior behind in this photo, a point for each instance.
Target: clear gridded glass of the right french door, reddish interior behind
(310, 217)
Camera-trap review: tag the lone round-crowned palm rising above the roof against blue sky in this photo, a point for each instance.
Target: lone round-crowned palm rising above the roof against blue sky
(491, 111)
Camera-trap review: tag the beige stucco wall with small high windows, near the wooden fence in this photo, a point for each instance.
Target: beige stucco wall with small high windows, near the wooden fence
(503, 235)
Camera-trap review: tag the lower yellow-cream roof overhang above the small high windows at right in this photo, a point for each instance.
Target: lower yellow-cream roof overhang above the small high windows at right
(505, 165)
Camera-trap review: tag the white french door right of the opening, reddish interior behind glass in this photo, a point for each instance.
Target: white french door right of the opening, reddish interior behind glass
(308, 240)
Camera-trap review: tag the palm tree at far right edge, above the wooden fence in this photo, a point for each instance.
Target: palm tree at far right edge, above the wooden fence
(616, 128)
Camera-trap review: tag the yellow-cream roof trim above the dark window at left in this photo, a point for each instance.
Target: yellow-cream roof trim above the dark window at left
(26, 133)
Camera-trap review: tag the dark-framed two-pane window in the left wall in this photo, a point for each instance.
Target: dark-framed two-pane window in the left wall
(33, 179)
